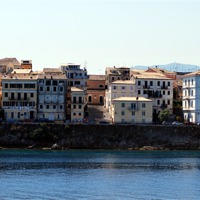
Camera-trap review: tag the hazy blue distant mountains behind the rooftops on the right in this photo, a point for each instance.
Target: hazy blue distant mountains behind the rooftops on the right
(177, 67)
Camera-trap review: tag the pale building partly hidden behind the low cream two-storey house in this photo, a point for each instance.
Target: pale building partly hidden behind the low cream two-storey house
(118, 89)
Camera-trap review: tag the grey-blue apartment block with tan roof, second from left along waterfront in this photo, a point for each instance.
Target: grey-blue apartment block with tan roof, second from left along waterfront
(52, 96)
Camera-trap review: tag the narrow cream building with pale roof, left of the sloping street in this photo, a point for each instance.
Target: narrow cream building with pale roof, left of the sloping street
(78, 104)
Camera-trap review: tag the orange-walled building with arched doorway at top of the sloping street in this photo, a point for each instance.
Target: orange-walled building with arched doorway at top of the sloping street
(96, 89)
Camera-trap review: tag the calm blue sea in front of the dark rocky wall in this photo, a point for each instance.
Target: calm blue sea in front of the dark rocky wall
(92, 174)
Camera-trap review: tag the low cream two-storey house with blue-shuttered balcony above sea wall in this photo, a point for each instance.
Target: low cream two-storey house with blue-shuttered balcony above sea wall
(132, 110)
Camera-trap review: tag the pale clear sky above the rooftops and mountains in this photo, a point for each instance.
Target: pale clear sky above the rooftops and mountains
(100, 33)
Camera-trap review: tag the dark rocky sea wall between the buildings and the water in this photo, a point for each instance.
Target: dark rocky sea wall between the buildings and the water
(100, 137)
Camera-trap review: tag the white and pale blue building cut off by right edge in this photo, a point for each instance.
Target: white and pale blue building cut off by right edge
(191, 97)
